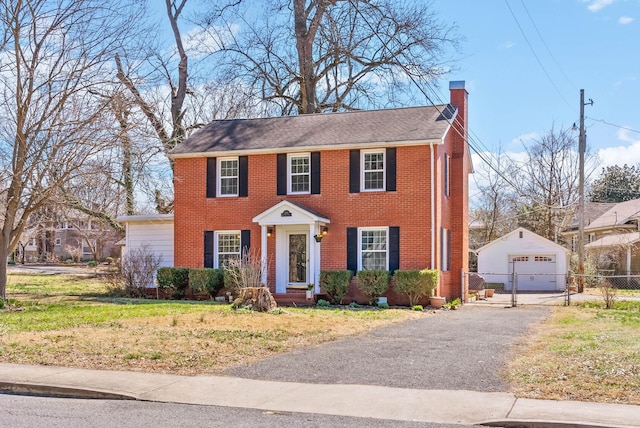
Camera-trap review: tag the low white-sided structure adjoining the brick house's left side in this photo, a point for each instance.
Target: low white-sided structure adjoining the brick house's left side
(153, 233)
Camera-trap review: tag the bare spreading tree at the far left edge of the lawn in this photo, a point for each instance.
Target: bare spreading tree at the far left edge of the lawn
(53, 53)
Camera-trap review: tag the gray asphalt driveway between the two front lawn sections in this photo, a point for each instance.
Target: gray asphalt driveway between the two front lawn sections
(463, 349)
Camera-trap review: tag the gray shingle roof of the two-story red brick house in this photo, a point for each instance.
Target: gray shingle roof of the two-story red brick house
(412, 124)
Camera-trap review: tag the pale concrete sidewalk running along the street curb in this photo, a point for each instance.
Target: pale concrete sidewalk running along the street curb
(437, 406)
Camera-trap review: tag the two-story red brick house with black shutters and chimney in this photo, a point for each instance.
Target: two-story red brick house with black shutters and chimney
(383, 189)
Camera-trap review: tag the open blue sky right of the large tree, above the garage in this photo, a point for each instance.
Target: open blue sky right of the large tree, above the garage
(519, 92)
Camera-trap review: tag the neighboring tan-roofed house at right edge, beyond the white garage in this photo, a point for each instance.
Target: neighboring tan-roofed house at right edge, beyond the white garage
(612, 239)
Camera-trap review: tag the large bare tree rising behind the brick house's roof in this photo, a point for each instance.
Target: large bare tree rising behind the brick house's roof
(345, 54)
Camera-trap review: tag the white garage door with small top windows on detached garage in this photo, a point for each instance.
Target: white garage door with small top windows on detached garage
(535, 272)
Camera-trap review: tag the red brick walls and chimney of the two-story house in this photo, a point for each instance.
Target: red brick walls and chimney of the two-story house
(409, 207)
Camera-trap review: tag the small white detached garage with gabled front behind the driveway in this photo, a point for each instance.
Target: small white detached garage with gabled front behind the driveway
(540, 265)
